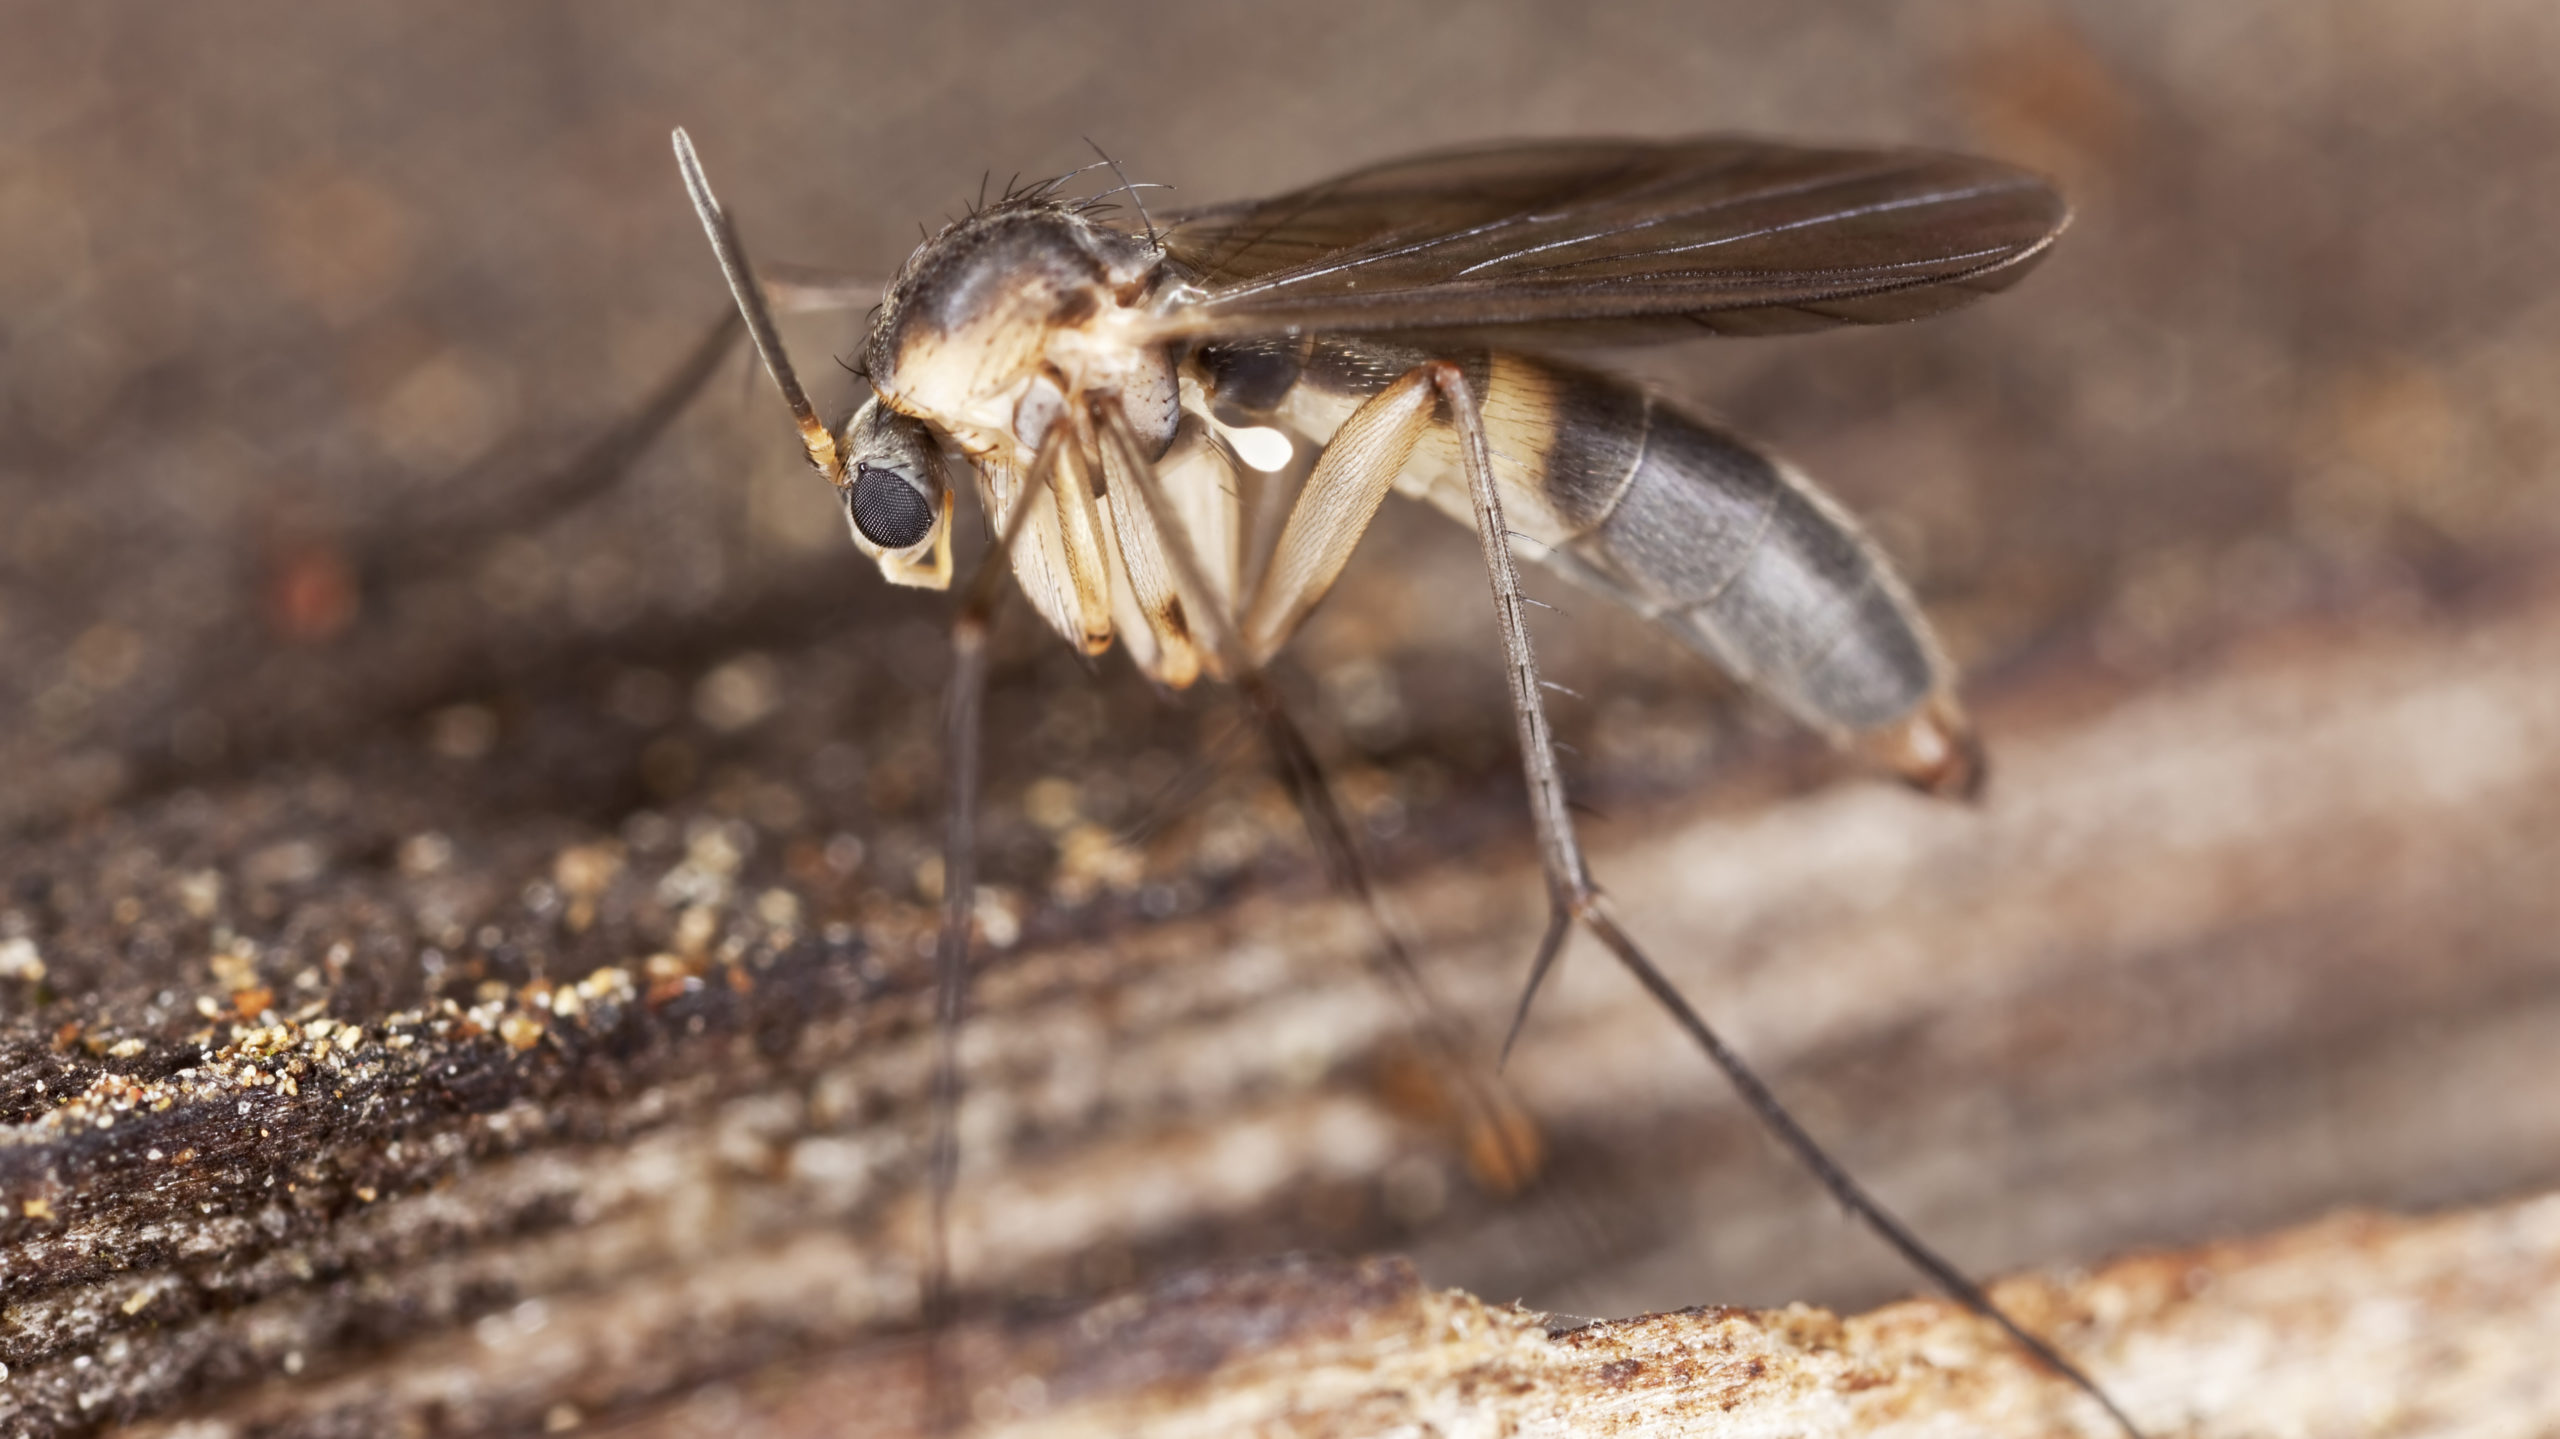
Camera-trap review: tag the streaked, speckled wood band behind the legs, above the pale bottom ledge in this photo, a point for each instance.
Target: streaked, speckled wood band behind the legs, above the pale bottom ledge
(524, 1210)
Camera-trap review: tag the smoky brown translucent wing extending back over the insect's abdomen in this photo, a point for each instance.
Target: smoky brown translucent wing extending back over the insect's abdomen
(1614, 242)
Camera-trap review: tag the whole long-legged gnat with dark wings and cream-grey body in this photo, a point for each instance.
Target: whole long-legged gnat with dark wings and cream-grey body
(1107, 390)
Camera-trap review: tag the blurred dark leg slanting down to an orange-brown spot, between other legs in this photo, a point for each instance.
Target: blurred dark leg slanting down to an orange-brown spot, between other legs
(1501, 1143)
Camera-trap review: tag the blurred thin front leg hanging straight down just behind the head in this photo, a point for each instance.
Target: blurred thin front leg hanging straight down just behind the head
(964, 700)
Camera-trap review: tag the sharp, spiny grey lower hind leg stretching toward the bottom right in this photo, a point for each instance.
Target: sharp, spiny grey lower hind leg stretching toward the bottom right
(1573, 892)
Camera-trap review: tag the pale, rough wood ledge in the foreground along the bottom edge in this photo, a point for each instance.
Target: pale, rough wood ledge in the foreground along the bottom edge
(2359, 1325)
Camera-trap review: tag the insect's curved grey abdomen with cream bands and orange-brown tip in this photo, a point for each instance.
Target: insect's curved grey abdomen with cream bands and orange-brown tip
(1688, 526)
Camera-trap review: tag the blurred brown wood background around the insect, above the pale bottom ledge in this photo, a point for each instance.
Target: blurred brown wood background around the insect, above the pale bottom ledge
(2241, 513)
